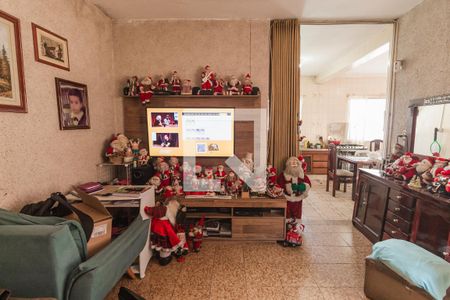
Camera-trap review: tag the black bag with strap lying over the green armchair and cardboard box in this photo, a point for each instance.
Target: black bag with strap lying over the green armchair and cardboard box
(64, 208)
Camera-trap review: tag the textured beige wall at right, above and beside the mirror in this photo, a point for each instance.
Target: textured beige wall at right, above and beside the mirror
(424, 45)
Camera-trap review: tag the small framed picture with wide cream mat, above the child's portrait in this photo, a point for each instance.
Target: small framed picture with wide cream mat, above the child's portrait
(50, 48)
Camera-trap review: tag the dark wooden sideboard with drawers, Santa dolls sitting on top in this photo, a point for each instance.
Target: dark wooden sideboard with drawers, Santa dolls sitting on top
(386, 208)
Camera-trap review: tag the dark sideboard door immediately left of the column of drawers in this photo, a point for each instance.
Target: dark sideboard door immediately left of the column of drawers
(375, 210)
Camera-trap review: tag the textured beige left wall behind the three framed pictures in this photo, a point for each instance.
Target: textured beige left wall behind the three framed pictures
(37, 158)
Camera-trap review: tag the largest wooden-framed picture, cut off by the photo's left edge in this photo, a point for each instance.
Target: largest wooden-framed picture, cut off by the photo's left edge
(12, 82)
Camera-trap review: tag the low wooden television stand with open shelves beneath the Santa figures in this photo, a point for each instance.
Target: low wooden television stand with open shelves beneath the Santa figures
(261, 219)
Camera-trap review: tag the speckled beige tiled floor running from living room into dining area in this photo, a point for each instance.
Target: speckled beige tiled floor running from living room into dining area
(330, 264)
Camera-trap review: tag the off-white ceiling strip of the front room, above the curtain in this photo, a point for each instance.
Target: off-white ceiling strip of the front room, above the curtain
(255, 9)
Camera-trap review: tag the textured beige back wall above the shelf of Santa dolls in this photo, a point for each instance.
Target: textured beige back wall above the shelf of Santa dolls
(159, 47)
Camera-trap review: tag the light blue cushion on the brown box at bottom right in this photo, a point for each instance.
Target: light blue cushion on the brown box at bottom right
(415, 264)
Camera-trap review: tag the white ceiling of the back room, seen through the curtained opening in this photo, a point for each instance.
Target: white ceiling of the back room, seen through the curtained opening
(327, 49)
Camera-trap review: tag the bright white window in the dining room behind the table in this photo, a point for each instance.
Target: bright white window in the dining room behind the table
(366, 119)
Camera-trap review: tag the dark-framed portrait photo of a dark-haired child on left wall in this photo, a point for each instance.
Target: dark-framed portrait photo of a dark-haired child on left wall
(73, 107)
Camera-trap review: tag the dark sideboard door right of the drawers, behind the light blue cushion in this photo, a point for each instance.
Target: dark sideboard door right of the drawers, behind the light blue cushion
(431, 228)
